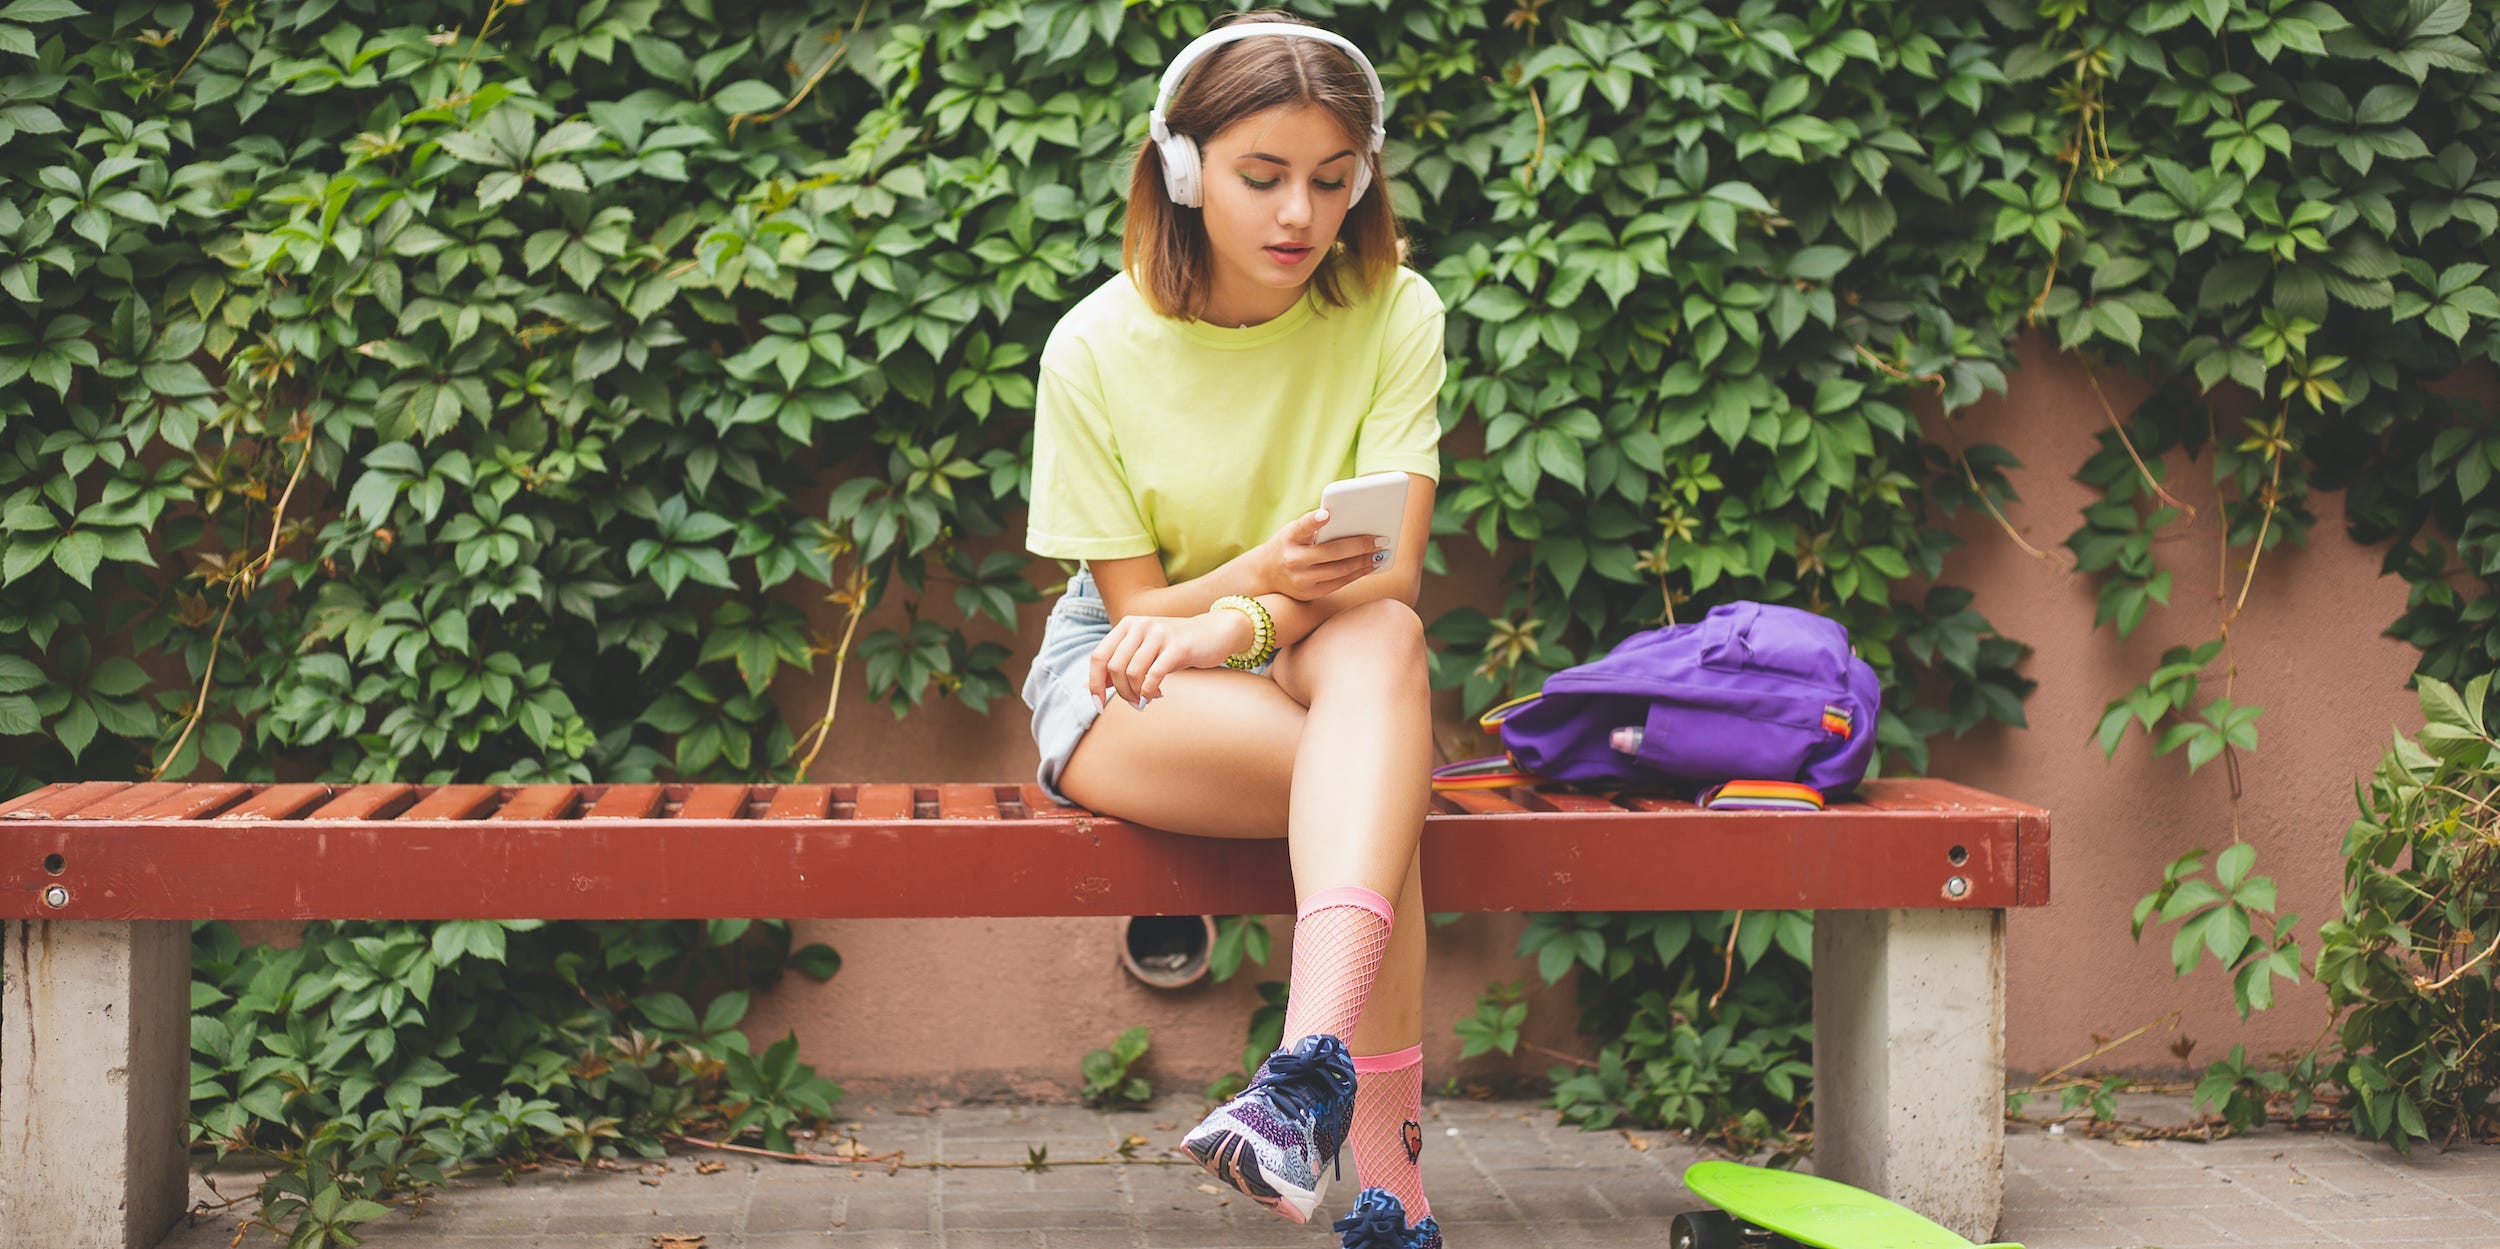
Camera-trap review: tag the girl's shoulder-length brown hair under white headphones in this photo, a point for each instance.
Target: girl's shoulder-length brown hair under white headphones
(1166, 246)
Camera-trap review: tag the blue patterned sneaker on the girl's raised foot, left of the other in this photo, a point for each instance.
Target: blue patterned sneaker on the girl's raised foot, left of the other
(1276, 1140)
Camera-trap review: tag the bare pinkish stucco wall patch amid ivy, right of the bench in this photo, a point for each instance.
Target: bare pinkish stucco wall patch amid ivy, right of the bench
(2309, 651)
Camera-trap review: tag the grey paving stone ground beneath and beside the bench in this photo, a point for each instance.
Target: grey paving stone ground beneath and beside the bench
(1504, 1175)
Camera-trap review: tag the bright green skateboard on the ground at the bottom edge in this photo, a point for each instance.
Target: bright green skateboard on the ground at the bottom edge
(1786, 1210)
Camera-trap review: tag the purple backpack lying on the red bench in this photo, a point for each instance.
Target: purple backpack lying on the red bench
(1746, 693)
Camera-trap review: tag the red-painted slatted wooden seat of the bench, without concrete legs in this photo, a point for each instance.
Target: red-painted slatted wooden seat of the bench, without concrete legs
(934, 851)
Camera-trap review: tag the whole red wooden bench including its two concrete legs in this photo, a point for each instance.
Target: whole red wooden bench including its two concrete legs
(99, 883)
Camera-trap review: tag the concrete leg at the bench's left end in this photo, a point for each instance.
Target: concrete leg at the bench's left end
(94, 1083)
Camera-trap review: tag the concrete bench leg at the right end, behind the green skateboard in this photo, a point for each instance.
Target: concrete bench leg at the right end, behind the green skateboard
(1911, 1060)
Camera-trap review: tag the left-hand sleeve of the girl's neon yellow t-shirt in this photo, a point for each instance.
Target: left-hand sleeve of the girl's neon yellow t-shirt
(1081, 501)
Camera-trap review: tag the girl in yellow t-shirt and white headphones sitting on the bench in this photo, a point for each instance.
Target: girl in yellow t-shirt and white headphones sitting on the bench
(1214, 668)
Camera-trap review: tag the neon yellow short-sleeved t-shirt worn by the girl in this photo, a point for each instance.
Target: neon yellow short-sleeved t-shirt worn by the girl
(1196, 443)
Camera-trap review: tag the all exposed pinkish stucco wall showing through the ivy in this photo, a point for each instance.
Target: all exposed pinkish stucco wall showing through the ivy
(1011, 1005)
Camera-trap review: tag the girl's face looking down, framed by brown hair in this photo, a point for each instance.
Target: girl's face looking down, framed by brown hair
(1276, 191)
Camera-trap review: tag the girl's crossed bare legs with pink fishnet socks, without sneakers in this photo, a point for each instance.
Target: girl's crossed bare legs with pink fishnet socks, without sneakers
(1331, 751)
